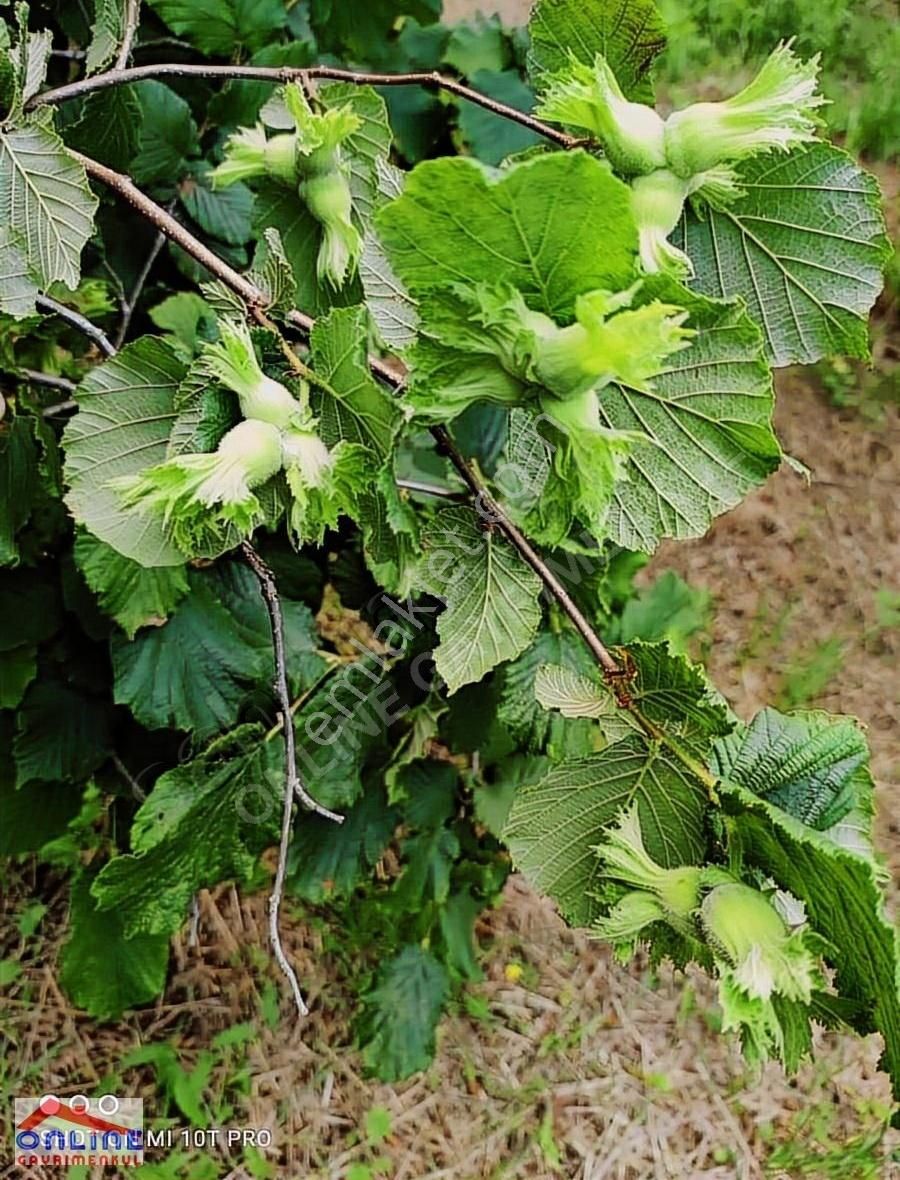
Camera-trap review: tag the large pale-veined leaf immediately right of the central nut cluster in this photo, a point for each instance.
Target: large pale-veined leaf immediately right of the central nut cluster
(708, 429)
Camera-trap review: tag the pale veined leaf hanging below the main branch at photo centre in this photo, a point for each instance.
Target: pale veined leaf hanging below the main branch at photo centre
(492, 599)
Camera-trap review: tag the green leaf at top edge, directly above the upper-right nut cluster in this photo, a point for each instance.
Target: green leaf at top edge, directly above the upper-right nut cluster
(629, 34)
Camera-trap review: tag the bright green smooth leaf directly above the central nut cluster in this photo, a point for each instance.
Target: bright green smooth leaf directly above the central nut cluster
(458, 221)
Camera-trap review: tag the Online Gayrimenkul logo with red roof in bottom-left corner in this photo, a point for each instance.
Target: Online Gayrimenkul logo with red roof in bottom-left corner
(80, 1131)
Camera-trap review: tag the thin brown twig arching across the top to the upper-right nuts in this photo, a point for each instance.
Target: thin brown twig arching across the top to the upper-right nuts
(280, 75)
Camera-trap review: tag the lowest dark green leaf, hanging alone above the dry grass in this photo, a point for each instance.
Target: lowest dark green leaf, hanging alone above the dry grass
(402, 1013)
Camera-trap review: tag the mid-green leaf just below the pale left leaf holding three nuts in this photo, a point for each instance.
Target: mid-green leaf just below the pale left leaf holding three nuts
(133, 595)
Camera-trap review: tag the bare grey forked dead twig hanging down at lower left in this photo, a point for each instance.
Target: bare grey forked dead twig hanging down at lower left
(293, 782)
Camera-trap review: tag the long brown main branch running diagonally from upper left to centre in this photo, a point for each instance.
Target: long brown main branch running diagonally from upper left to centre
(387, 375)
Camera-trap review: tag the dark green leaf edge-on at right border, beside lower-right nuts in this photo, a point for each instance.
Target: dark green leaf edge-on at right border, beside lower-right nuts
(843, 894)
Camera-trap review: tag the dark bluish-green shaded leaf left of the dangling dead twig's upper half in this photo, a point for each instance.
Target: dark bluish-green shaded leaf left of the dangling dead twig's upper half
(195, 672)
